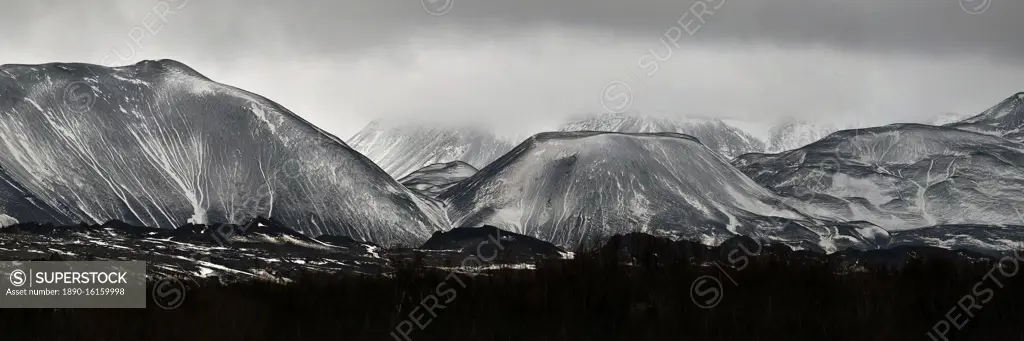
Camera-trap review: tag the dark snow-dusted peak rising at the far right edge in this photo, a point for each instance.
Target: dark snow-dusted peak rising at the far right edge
(1005, 119)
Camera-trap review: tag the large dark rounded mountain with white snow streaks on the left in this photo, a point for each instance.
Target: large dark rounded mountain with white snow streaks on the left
(158, 145)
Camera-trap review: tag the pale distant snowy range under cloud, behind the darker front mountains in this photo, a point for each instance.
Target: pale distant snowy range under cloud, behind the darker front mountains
(402, 148)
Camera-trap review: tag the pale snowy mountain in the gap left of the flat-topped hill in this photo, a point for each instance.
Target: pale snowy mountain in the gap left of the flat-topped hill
(404, 148)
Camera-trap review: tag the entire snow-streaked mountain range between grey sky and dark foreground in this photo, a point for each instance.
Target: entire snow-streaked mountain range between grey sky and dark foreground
(159, 145)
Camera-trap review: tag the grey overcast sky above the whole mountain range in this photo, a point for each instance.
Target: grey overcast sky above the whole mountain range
(527, 65)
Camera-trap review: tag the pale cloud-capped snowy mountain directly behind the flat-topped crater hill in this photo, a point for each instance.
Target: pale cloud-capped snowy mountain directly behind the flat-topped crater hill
(716, 135)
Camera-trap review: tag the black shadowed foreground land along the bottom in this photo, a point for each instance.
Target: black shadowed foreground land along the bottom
(656, 293)
